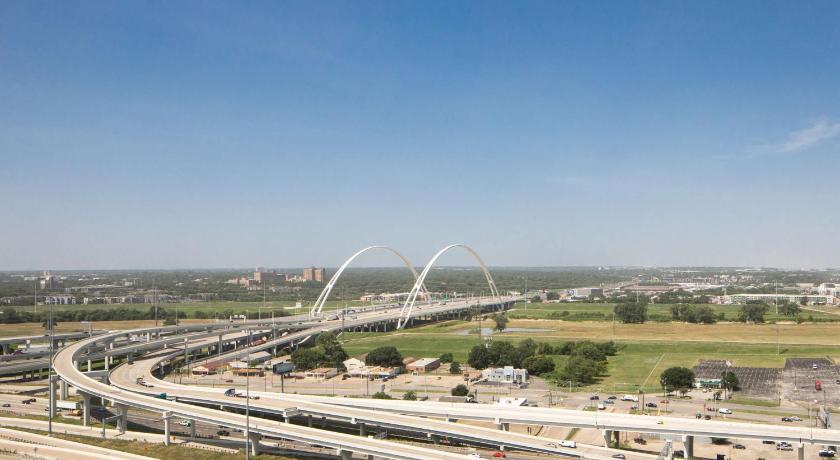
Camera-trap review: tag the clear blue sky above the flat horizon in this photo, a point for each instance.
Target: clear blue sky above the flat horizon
(219, 134)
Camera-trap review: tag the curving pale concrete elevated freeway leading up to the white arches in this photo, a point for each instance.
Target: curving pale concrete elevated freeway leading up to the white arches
(432, 418)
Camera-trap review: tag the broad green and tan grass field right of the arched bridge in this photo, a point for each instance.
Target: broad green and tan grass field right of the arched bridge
(645, 350)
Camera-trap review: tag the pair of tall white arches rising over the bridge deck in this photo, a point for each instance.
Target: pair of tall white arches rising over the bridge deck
(419, 288)
